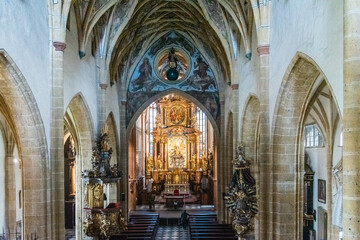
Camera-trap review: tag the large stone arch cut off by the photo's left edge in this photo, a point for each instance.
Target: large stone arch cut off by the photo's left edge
(22, 113)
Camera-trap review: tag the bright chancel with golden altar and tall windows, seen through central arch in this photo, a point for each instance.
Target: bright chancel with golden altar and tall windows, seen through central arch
(172, 120)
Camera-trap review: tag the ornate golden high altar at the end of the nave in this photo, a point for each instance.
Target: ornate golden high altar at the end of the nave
(175, 159)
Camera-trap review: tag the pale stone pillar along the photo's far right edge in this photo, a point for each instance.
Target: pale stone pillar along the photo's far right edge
(351, 121)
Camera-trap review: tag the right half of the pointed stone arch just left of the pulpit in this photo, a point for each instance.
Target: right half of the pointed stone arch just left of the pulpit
(79, 123)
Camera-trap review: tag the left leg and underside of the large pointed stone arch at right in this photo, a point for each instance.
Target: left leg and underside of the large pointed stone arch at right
(291, 105)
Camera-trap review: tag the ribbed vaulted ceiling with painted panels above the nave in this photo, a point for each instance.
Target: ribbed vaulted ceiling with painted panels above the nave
(122, 30)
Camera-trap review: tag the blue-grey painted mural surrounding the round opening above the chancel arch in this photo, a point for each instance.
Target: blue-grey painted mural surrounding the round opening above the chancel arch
(200, 83)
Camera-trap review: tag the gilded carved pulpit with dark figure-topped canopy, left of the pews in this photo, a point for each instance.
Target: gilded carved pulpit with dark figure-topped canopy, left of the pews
(99, 222)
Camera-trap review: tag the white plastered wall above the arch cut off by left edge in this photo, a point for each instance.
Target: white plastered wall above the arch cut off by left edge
(24, 34)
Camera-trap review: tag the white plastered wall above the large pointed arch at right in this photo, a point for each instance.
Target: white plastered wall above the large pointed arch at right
(314, 27)
